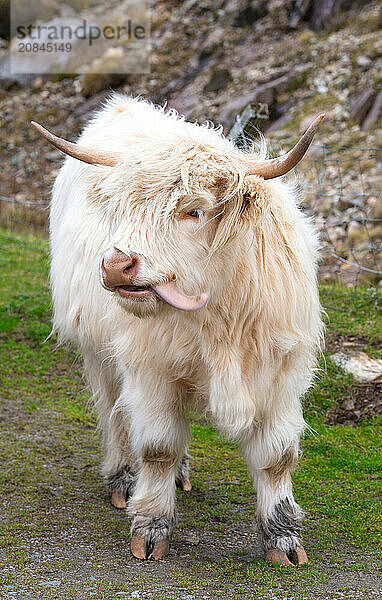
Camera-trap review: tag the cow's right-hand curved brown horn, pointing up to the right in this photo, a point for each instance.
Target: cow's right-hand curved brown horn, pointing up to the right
(275, 167)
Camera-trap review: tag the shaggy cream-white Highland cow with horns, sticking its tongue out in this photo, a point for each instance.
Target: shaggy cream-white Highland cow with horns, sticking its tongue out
(183, 270)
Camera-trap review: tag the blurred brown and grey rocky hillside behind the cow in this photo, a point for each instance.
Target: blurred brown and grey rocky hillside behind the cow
(285, 59)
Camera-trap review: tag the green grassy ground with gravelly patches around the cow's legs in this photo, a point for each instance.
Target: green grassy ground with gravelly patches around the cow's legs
(59, 533)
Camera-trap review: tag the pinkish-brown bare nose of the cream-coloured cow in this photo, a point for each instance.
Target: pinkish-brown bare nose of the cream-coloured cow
(118, 268)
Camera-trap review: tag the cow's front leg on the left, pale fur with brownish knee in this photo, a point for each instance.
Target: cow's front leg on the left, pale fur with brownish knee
(159, 435)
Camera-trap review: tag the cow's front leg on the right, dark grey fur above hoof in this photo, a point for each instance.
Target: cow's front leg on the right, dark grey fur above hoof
(271, 454)
